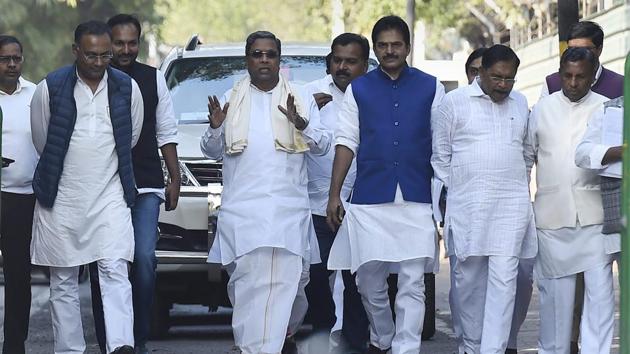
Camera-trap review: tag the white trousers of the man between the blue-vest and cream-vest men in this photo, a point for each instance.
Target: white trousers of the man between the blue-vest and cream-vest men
(486, 287)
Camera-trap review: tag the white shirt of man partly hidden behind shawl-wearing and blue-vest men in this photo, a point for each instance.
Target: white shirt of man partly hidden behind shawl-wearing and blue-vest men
(320, 167)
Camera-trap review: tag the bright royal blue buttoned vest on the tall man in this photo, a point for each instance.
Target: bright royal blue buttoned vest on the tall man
(395, 133)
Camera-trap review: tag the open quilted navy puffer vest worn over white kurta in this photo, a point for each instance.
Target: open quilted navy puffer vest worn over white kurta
(63, 115)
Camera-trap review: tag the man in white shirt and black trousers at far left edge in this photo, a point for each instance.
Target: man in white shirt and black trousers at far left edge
(17, 194)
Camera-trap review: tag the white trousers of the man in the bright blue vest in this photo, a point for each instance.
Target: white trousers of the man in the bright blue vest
(403, 336)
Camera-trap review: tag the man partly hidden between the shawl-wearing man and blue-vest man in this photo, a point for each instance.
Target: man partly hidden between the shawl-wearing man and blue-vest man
(348, 60)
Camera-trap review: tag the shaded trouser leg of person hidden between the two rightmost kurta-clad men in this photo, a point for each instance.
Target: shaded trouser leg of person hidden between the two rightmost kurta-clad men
(524, 287)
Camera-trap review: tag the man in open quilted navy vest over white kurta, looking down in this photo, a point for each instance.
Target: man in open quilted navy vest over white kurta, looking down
(85, 119)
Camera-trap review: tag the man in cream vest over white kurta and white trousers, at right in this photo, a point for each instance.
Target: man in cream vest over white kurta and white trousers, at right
(569, 214)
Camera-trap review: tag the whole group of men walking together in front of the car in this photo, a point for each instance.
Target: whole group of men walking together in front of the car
(354, 171)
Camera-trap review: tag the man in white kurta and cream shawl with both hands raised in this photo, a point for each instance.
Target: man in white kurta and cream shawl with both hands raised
(264, 232)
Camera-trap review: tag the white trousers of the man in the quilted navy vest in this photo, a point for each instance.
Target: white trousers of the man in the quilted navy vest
(66, 309)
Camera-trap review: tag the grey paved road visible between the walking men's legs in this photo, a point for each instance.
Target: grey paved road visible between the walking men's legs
(196, 331)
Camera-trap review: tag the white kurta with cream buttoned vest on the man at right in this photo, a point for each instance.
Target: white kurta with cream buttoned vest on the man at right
(570, 241)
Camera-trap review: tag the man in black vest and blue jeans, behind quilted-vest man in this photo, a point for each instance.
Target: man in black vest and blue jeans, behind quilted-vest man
(159, 131)
